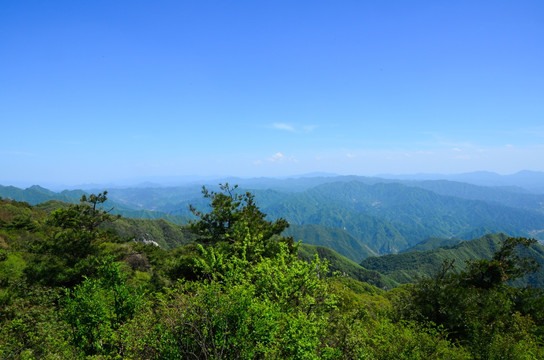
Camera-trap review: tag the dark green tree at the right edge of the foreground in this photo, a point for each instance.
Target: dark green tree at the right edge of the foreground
(476, 306)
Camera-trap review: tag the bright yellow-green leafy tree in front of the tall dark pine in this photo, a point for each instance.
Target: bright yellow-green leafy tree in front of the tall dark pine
(276, 308)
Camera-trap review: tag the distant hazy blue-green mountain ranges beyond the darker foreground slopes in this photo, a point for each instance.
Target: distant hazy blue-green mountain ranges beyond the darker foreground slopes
(356, 216)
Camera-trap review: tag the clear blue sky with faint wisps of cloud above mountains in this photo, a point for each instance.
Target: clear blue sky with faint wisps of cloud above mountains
(95, 91)
